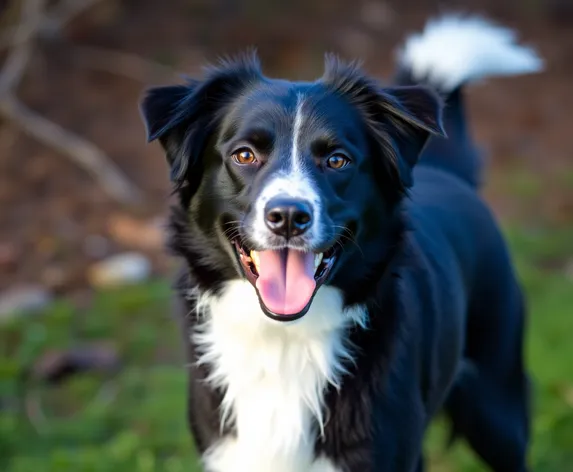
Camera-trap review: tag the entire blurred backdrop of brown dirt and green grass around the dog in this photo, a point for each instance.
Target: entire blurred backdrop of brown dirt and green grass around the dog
(92, 375)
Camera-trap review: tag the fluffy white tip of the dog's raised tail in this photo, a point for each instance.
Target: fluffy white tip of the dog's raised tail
(454, 49)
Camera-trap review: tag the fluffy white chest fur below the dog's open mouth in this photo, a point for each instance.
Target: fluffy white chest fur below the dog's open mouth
(273, 376)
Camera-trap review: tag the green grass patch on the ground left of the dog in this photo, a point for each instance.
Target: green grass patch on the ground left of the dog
(134, 421)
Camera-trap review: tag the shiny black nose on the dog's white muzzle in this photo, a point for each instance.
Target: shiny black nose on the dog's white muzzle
(288, 217)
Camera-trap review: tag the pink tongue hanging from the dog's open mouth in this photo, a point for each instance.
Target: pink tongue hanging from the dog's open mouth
(286, 280)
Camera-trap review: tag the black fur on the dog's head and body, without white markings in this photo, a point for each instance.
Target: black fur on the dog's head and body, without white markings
(446, 313)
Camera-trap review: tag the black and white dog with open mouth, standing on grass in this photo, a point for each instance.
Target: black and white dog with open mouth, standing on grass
(343, 279)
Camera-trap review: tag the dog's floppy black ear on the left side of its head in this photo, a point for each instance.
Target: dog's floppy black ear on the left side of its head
(183, 117)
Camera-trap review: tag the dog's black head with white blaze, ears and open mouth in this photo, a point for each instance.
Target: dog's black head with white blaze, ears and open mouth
(290, 185)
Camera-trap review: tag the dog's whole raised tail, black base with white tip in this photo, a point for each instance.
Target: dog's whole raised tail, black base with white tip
(449, 53)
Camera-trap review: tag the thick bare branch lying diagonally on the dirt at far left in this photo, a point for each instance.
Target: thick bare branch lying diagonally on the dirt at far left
(82, 152)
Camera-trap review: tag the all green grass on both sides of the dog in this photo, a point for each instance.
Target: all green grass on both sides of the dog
(136, 421)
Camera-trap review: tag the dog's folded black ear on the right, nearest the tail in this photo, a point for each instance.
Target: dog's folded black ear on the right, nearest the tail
(414, 114)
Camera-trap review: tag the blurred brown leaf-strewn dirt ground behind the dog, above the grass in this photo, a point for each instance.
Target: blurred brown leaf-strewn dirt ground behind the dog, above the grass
(54, 219)
